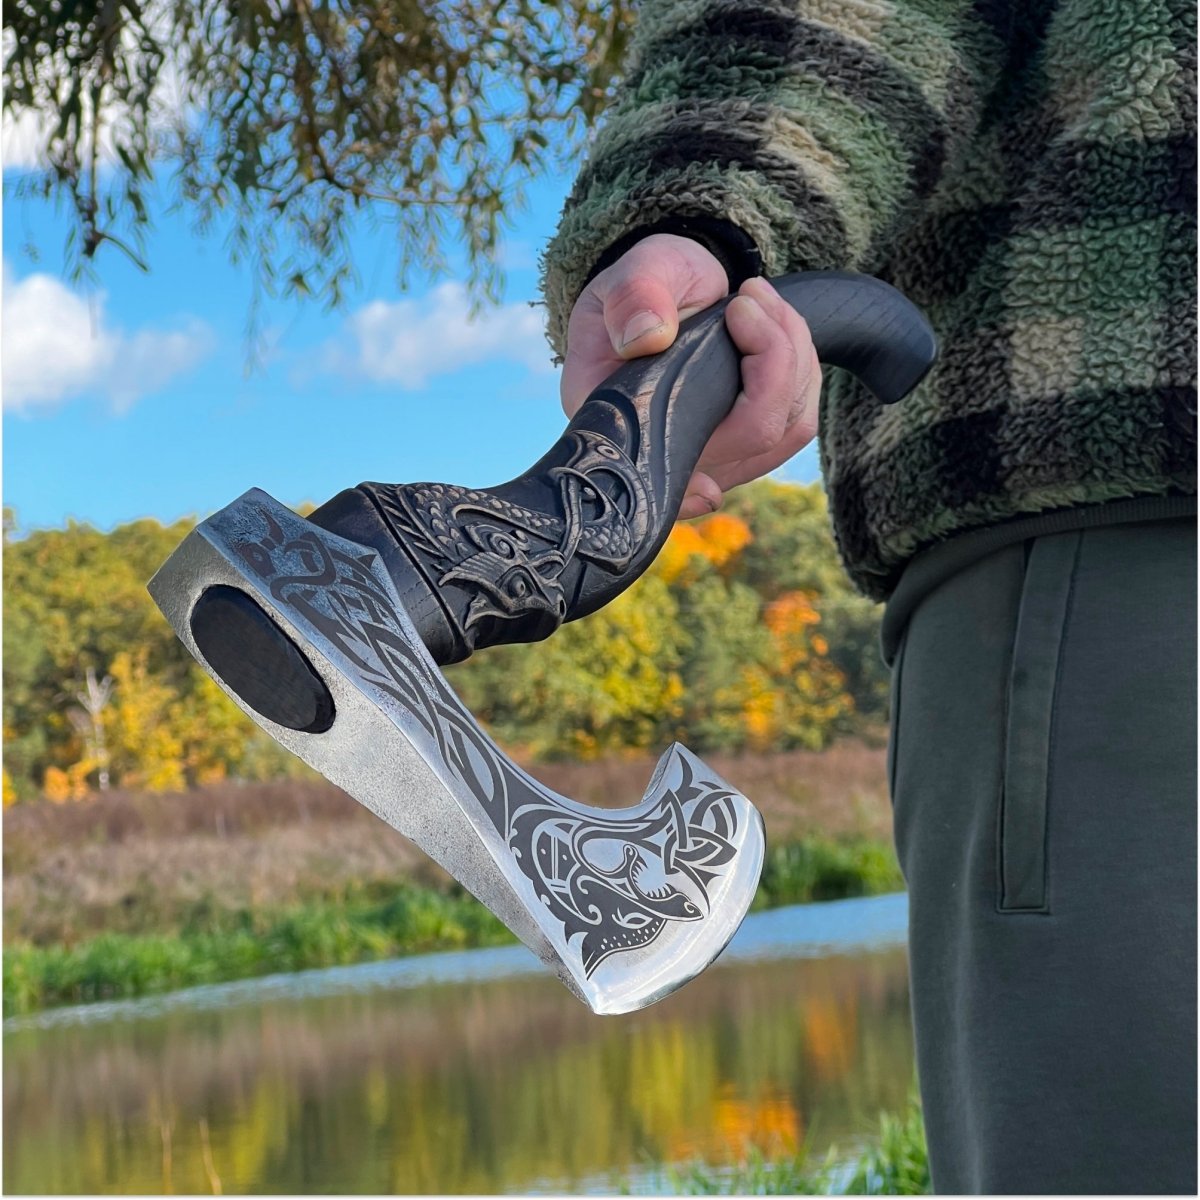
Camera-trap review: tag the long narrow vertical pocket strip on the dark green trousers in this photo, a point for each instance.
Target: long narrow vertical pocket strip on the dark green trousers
(1030, 724)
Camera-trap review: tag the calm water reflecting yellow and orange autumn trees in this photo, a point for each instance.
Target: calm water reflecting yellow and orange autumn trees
(469, 1072)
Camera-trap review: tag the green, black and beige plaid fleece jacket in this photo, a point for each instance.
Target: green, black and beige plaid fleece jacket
(1023, 171)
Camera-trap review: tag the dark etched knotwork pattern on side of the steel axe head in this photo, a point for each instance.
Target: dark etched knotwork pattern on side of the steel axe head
(616, 883)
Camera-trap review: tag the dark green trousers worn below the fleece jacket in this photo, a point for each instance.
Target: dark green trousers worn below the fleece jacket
(1045, 779)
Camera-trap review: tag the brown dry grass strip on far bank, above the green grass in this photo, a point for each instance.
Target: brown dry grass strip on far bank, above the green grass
(136, 863)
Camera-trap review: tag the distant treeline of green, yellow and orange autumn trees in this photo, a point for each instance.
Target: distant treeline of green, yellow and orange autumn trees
(745, 635)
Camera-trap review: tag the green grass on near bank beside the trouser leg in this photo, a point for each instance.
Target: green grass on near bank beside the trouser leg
(895, 1162)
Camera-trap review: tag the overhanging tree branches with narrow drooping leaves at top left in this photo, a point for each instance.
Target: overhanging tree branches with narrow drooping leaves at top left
(293, 117)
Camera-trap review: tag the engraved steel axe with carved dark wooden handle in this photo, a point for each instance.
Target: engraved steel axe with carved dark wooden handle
(329, 632)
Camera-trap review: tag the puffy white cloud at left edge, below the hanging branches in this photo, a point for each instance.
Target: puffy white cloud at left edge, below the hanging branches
(57, 346)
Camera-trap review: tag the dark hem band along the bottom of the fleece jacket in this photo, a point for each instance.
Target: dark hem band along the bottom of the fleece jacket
(939, 563)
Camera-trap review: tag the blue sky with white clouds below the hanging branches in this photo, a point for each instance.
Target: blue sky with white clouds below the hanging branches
(133, 398)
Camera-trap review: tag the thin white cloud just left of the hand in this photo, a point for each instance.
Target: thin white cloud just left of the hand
(409, 343)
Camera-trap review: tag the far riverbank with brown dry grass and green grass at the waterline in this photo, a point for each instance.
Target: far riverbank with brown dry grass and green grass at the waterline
(134, 895)
